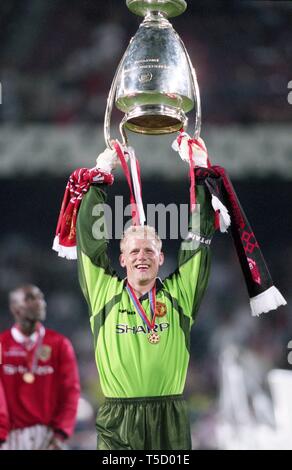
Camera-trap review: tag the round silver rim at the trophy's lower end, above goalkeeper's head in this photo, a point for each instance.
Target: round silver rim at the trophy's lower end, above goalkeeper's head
(155, 120)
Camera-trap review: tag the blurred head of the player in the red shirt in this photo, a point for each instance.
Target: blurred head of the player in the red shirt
(28, 305)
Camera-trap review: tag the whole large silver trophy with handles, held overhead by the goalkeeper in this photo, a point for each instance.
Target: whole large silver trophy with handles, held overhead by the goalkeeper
(155, 84)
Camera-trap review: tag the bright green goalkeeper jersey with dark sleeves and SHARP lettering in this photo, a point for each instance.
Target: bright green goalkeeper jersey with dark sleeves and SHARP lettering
(128, 365)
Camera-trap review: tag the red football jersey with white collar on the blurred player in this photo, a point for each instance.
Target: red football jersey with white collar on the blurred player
(39, 382)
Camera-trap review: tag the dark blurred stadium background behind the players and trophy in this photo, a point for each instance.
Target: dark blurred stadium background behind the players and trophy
(57, 61)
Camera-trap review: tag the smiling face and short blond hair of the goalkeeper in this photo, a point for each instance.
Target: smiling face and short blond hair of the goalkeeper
(141, 258)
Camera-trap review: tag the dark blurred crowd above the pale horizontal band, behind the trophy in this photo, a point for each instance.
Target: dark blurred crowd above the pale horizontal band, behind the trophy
(57, 59)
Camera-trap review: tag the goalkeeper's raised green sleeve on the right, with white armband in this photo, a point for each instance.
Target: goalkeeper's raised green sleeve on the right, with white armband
(188, 283)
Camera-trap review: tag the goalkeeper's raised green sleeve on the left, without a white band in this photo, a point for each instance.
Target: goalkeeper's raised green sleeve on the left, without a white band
(97, 279)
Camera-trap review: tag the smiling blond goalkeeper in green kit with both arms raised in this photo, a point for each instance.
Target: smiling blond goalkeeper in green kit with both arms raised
(141, 325)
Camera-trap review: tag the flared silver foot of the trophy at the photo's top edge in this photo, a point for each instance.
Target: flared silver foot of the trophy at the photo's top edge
(169, 8)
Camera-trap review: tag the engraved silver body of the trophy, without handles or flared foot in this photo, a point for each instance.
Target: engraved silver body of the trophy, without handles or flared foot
(154, 87)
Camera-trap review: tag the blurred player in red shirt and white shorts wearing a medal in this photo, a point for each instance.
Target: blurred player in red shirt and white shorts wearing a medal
(39, 382)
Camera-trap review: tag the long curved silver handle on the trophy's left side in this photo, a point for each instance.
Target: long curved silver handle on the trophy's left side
(109, 108)
